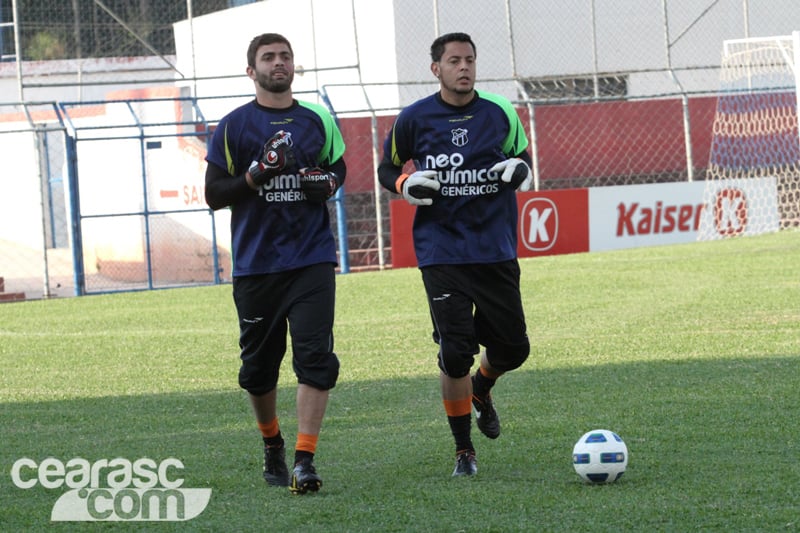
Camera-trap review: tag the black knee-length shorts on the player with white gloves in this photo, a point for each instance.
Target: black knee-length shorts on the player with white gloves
(473, 305)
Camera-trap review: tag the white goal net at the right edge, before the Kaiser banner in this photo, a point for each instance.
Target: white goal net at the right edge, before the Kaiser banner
(753, 178)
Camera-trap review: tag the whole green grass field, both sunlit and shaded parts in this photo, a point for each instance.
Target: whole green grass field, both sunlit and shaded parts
(691, 353)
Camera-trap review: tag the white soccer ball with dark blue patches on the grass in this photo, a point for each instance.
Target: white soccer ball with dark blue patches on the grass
(600, 456)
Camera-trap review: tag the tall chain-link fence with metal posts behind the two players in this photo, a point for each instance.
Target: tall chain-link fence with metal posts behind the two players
(611, 92)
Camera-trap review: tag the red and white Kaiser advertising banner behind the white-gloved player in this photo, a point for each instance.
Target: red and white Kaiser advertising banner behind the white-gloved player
(628, 216)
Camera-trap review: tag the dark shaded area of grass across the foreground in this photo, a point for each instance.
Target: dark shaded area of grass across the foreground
(713, 444)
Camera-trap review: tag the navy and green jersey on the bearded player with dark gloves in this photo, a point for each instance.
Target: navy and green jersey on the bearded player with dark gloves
(276, 229)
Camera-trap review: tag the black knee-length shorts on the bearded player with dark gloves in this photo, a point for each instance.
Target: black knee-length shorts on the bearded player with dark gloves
(299, 301)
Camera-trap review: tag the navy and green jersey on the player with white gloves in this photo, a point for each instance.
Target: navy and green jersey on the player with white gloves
(474, 219)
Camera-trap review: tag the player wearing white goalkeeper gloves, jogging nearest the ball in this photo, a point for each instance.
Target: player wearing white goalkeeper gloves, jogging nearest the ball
(469, 154)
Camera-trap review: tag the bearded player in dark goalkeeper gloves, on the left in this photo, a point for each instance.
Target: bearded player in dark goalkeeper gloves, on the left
(275, 161)
